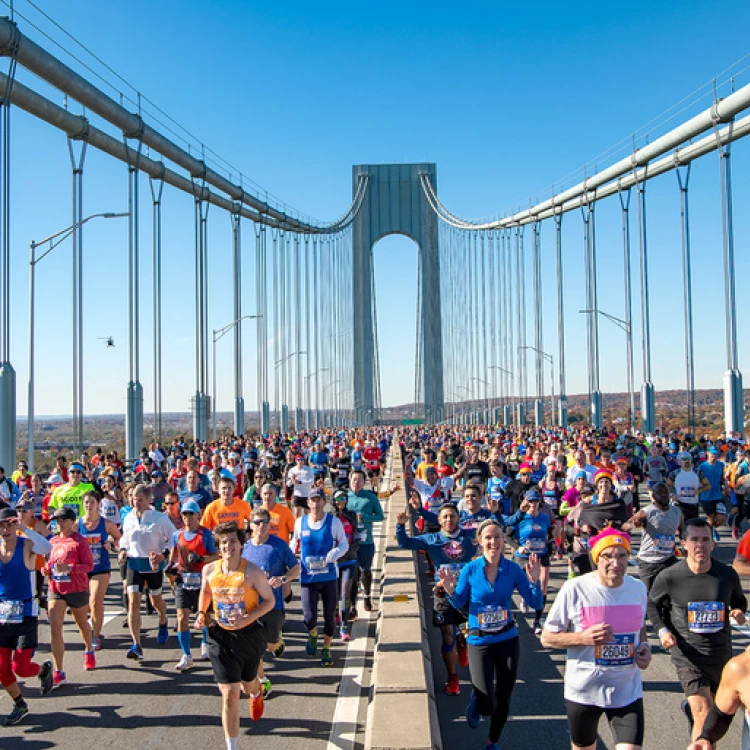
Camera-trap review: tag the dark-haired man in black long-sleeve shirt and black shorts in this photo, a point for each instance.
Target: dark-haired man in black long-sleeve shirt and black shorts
(690, 605)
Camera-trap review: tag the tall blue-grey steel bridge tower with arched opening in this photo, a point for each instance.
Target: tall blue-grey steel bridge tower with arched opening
(395, 204)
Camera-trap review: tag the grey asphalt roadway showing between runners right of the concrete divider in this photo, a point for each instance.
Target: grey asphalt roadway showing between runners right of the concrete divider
(538, 719)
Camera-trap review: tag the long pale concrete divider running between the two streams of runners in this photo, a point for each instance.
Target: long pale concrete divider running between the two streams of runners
(402, 714)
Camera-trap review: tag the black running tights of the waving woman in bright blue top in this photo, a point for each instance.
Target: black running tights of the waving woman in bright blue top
(493, 674)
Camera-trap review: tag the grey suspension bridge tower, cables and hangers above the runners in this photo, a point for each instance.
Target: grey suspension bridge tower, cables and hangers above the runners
(314, 299)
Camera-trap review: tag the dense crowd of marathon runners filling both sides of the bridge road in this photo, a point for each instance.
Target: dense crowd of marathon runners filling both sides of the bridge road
(213, 535)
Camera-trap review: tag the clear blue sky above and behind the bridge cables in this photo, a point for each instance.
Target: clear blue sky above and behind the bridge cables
(506, 100)
